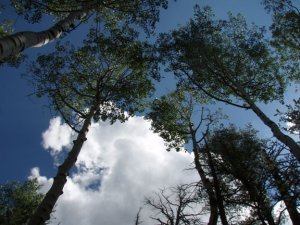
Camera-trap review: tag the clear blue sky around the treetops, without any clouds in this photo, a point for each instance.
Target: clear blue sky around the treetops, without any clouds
(23, 117)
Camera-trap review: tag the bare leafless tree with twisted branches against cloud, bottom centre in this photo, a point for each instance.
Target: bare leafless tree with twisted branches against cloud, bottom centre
(176, 206)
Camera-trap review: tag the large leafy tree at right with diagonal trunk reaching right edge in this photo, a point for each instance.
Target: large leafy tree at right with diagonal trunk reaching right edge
(229, 62)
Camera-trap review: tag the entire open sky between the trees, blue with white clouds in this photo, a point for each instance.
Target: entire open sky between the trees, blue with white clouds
(33, 140)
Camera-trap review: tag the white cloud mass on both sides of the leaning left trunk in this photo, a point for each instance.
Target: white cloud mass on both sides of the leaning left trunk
(136, 164)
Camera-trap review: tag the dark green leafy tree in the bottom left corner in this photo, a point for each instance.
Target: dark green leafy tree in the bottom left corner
(18, 201)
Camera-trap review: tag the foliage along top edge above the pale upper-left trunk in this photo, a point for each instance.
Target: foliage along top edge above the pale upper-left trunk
(144, 13)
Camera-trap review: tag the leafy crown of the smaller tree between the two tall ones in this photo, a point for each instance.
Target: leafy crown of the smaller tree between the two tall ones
(177, 115)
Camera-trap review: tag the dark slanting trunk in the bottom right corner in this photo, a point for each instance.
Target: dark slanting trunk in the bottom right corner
(290, 201)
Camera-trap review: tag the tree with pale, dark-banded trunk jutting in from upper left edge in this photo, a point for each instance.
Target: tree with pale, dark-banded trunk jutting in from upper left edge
(144, 13)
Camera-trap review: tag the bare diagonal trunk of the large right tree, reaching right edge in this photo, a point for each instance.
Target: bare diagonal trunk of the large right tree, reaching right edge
(285, 139)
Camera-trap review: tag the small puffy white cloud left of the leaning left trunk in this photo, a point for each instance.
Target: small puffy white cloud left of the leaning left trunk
(56, 136)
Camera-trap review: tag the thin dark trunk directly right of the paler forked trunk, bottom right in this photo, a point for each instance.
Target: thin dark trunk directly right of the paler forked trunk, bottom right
(219, 196)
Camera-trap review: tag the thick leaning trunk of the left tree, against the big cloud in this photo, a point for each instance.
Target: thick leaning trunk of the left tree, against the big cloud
(45, 208)
